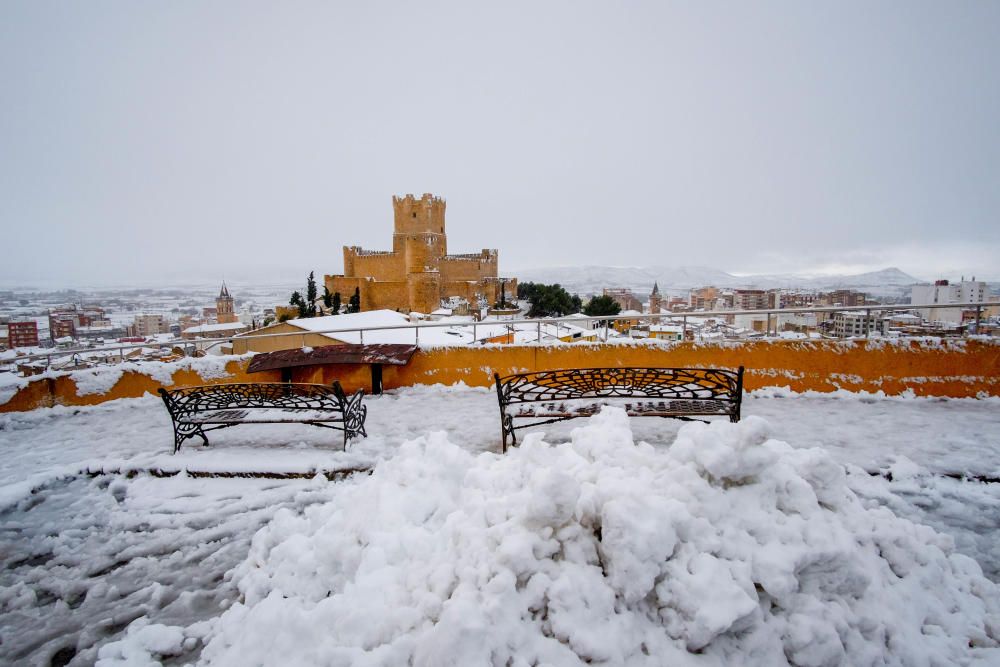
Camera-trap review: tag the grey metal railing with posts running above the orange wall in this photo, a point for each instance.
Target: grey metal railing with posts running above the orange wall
(532, 323)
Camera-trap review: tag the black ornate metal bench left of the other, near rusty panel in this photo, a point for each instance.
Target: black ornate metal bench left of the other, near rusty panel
(197, 410)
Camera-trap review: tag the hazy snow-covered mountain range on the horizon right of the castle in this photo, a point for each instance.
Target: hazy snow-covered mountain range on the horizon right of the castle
(592, 279)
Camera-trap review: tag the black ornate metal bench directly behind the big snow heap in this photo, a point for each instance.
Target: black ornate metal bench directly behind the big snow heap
(677, 393)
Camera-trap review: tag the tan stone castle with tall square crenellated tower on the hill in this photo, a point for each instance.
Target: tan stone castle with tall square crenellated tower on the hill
(418, 274)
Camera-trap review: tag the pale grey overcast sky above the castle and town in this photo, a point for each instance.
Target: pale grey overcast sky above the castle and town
(180, 141)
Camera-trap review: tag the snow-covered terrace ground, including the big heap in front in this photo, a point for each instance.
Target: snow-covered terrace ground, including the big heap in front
(600, 547)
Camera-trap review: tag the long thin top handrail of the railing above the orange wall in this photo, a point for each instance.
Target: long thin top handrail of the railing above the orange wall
(684, 315)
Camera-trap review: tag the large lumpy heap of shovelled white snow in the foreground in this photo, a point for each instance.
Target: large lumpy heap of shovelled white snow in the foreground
(728, 544)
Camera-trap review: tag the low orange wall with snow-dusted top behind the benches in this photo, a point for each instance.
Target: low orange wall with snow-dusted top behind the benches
(954, 369)
